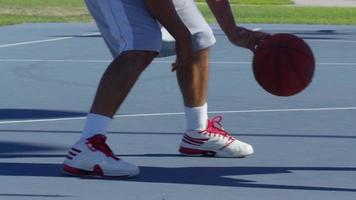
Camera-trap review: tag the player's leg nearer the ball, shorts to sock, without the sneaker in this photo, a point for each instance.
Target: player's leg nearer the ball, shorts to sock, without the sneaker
(193, 80)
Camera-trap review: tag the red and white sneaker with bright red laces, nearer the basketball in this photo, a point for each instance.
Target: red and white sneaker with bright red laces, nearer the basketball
(213, 142)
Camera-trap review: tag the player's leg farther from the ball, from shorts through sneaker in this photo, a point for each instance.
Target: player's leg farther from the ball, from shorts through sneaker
(133, 37)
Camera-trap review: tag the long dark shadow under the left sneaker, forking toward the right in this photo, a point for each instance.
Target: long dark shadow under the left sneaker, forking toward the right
(212, 176)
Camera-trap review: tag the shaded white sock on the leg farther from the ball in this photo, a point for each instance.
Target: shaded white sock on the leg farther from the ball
(96, 124)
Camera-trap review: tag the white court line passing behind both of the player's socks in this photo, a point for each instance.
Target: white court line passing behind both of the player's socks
(181, 113)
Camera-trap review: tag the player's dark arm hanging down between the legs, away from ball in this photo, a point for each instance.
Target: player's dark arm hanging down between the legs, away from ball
(165, 13)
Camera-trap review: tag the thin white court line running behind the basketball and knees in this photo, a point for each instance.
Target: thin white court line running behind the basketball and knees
(156, 61)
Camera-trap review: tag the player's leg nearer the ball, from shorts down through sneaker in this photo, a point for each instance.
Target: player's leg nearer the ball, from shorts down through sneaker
(203, 137)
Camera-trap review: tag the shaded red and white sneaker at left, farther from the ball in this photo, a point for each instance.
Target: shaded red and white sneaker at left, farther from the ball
(93, 157)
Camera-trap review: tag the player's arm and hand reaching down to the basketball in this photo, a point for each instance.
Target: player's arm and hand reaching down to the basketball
(237, 35)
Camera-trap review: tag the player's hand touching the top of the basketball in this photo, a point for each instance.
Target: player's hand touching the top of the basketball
(246, 38)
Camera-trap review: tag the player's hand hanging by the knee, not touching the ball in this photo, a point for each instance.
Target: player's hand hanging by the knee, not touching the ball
(184, 53)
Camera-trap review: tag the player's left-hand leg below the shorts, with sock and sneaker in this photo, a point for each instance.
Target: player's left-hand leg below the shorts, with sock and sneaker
(91, 155)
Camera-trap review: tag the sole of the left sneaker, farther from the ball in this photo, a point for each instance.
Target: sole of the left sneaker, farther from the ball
(97, 172)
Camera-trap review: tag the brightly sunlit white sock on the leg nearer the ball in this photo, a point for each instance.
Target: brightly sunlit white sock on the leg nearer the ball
(197, 117)
